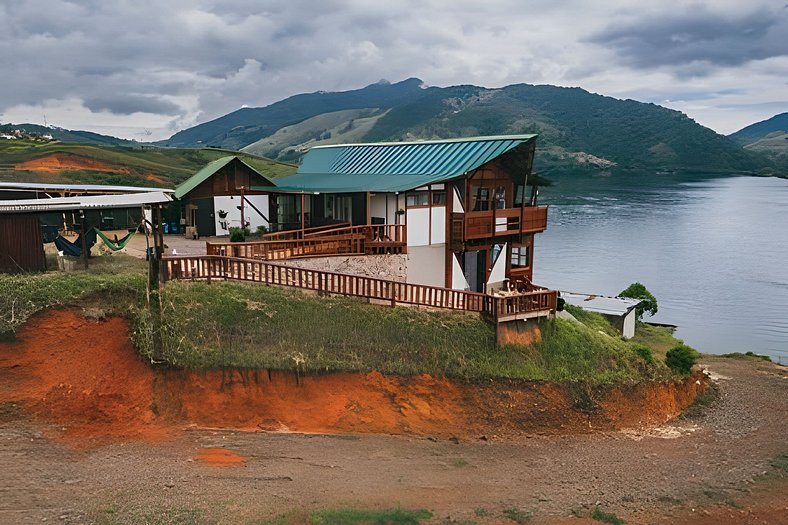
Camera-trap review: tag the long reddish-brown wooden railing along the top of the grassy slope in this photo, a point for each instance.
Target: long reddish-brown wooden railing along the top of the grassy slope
(211, 267)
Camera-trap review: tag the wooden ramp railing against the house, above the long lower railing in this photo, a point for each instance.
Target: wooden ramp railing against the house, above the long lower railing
(346, 240)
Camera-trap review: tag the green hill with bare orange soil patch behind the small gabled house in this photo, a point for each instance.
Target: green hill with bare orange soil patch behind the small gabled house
(35, 161)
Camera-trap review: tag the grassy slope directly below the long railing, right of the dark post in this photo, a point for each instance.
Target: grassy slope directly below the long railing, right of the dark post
(227, 324)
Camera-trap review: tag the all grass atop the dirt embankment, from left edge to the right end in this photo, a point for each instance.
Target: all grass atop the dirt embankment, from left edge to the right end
(230, 324)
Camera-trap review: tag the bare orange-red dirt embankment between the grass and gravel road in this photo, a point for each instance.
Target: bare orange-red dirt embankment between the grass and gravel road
(85, 379)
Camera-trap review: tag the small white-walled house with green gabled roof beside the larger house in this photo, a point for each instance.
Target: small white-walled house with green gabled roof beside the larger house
(220, 196)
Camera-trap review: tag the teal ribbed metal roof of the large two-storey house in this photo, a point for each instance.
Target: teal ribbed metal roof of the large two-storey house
(395, 166)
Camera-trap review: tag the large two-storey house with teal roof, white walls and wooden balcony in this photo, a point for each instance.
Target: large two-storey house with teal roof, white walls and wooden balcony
(468, 212)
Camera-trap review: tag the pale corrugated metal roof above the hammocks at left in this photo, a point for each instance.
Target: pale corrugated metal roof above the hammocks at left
(129, 200)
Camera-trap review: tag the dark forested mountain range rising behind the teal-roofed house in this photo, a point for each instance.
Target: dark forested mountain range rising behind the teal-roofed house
(578, 130)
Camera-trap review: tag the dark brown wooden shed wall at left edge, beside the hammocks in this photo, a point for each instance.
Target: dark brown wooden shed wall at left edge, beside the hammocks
(21, 245)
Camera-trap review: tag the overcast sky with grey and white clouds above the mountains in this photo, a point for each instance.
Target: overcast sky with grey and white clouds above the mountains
(143, 69)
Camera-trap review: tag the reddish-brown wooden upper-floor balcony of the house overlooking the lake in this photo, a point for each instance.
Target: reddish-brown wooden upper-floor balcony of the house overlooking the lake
(509, 221)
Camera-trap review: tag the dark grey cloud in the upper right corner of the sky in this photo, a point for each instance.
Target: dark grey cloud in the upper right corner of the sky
(698, 35)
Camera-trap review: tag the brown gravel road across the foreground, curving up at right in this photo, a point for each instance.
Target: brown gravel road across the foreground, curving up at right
(713, 461)
